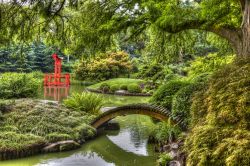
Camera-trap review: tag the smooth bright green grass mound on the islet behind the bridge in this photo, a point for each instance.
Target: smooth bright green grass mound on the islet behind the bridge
(117, 81)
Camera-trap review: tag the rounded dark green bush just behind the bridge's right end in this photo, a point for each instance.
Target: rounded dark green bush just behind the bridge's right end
(164, 94)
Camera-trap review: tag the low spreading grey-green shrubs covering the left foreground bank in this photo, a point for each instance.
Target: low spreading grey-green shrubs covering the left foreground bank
(34, 122)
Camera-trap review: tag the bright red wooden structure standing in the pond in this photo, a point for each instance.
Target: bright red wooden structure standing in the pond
(57, 78)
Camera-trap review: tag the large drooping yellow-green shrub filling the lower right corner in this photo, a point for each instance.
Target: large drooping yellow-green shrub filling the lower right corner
(221, 119)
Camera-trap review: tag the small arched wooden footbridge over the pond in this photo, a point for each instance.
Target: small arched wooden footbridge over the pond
(154, 111)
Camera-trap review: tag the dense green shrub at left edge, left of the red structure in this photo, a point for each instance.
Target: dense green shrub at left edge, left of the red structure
(18, 85)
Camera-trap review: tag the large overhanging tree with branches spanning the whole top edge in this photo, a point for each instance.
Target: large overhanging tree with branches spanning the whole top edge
(229, 19)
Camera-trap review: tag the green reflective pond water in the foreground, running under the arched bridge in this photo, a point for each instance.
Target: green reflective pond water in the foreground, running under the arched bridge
(126, 147)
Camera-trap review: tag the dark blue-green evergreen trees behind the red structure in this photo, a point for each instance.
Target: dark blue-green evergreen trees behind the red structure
(33, 57)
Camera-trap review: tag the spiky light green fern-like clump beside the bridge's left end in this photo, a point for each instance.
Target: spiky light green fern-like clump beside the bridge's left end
(86, 102)
